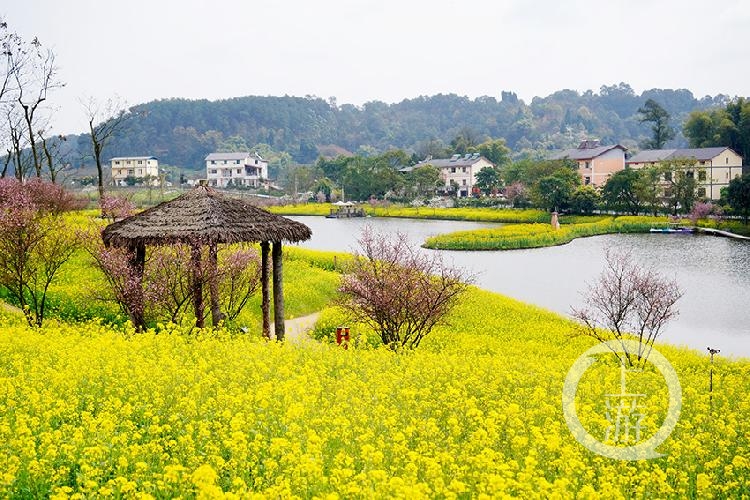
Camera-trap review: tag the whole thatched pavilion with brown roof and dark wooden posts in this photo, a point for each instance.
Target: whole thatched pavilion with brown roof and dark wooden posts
(205, 217)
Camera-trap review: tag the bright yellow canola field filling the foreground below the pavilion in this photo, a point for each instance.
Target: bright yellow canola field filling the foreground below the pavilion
(96, 411)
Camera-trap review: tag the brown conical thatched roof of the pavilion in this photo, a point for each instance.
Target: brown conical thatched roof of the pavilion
(203, 215)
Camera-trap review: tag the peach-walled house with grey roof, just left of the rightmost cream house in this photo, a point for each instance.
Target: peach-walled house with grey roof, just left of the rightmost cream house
(595, 163)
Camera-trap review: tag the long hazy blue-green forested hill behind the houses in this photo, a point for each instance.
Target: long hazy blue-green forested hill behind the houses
(181, 132)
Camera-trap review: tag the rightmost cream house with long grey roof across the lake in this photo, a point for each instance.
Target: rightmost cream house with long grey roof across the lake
(712, 168)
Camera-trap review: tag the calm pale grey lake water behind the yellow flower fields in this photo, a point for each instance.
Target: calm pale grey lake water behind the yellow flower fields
(713, 272)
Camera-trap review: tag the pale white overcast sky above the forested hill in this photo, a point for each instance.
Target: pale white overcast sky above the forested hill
(388, 50)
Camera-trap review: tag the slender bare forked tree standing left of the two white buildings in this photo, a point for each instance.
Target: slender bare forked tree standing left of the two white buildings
(105, 121)
